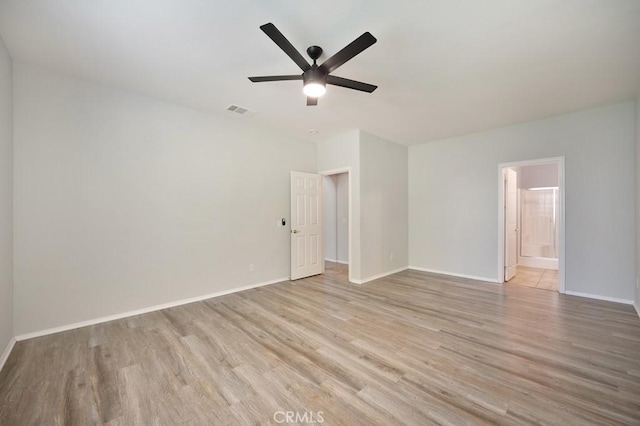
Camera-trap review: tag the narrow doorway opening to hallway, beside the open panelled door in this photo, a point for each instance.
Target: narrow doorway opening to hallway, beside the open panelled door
(336, 194)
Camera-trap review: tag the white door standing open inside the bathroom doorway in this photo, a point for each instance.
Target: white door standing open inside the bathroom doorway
(511, 224)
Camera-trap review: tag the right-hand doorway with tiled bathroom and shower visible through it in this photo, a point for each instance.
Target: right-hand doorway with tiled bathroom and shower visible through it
(531, 223)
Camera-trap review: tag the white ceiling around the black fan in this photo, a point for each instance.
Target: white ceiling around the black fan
(444, 67)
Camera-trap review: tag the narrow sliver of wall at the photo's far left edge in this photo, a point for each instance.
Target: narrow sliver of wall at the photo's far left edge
(6, 199)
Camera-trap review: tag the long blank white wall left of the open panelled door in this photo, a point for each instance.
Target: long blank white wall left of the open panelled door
(124, 202)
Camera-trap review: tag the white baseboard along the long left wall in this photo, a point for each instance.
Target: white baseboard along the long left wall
(143, 310)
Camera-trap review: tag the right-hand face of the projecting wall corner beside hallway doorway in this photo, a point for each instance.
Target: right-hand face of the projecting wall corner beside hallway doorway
(384, 205)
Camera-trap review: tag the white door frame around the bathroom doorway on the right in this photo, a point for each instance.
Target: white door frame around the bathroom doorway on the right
(501, 218)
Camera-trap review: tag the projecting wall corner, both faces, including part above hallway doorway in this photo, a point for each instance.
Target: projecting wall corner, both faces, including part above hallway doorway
(379, 191)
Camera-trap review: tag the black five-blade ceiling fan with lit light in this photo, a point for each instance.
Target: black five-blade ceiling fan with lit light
(315, 77)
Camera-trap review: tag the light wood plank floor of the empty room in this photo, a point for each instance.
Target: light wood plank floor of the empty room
(411, 348)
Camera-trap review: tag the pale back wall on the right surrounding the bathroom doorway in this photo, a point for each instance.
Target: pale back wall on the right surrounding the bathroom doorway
(453, 196)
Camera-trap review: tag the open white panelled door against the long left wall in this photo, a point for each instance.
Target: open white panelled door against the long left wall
(306, 225)
